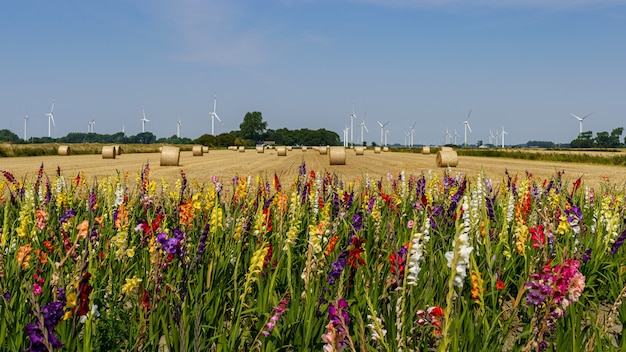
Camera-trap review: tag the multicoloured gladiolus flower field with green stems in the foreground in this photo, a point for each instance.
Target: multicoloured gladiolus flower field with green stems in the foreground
(432, 261)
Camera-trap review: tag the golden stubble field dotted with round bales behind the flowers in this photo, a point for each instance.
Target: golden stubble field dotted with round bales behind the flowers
(226, 164)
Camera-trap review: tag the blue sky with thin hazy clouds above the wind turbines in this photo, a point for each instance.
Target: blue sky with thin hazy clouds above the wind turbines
(524, 65)
